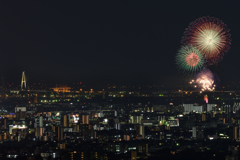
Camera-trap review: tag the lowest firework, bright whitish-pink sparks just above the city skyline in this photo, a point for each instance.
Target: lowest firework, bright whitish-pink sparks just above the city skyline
(205, 80)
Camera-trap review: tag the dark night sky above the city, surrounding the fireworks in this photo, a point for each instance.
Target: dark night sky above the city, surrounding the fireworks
(101, 42)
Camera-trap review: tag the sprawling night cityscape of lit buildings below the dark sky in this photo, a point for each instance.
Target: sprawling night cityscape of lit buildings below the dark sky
(118, 122)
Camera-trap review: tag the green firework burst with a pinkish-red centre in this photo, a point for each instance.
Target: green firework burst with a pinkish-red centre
(189, 59)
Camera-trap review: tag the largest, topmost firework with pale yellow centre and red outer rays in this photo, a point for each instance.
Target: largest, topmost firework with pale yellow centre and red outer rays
(210, 36)
